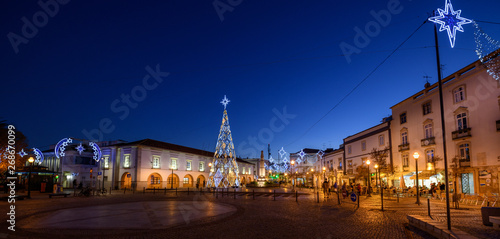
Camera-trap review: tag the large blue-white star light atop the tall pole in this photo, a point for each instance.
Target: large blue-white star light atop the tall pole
(450, 20)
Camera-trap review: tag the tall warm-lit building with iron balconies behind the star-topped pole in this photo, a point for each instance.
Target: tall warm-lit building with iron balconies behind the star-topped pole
(471, 99)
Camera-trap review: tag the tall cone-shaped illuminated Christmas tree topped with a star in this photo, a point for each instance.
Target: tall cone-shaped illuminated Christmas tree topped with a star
(224, 169)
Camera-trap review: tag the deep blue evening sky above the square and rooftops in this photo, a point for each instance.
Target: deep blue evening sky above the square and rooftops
(263, 55)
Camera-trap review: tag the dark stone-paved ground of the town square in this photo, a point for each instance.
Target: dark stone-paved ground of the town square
(230, 218)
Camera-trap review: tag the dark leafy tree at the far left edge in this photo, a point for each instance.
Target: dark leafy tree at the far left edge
(20, 143)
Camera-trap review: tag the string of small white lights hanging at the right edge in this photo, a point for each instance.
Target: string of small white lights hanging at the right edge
(485, 46)
